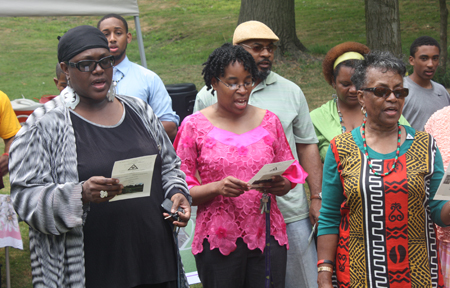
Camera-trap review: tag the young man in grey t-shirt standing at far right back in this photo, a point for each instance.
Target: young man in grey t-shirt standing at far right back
(425, 96)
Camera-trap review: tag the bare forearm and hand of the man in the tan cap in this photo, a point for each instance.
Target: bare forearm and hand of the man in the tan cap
(309, 158)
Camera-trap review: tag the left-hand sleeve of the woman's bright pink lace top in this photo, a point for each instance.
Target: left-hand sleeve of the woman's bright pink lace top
(186, 148)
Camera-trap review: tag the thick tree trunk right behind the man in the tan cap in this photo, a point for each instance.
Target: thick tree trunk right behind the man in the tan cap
(279, 15)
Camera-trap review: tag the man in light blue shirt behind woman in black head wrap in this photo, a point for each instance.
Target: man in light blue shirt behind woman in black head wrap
(133, 79)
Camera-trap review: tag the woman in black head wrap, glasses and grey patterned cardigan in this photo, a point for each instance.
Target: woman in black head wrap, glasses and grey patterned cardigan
(60, 169)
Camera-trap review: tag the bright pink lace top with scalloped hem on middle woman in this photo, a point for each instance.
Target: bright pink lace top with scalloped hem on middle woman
(216, 154)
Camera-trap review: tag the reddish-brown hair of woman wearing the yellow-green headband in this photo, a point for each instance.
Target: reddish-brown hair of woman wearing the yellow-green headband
(329, 73)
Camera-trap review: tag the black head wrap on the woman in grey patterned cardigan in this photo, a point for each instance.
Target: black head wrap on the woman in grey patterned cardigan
(79, 39)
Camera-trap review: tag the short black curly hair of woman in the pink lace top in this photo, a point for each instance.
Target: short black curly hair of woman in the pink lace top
(223, 56)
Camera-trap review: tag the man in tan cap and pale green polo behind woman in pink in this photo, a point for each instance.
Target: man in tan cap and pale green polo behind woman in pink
(286, 100)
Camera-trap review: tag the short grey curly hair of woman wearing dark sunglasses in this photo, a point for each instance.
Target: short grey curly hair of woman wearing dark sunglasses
(382, 60)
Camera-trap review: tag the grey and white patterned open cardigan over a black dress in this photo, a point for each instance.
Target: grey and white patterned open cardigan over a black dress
(46, 192)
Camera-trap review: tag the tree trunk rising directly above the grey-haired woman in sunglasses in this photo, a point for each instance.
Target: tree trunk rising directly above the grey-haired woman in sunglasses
(383, 26)
